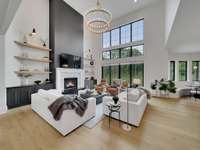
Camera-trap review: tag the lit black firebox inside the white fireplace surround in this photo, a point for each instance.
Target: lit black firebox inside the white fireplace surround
(70, 85)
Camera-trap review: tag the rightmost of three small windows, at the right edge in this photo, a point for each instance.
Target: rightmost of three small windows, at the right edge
(195, 70)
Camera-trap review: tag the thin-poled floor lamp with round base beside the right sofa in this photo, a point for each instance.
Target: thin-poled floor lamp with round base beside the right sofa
(126, 126)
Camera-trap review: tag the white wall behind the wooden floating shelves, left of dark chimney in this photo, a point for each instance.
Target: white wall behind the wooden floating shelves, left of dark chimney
(30, 14)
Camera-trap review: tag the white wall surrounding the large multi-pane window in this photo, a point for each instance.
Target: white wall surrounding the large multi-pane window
(155, 55)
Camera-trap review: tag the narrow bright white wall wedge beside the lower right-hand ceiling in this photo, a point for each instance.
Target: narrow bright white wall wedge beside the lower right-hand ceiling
(171, 8)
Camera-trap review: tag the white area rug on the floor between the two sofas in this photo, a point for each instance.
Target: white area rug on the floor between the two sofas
(99, 116)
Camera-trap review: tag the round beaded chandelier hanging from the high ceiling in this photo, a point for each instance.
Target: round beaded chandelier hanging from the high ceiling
(98, 19)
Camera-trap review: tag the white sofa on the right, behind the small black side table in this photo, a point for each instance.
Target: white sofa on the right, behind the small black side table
(136, 109)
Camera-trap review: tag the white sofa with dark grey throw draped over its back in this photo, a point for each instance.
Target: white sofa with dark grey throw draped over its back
(69, 120)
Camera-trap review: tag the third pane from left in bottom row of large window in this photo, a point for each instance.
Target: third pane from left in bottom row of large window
(125, 72)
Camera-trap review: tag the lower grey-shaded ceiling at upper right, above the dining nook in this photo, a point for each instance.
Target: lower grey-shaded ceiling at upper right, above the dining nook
(185, 33)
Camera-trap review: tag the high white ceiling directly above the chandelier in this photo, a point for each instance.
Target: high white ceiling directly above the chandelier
(118, 8)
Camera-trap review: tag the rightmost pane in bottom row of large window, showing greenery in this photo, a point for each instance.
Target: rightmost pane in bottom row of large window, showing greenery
(138, 72)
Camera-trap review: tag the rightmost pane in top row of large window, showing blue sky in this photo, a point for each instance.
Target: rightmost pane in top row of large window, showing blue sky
(138, 31)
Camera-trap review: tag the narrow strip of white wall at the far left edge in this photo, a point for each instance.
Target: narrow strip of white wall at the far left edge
(3, 107)
